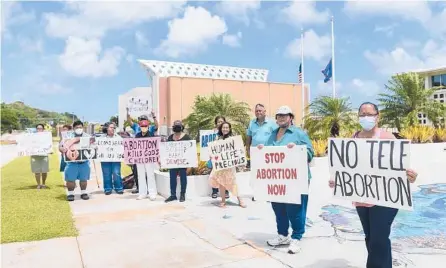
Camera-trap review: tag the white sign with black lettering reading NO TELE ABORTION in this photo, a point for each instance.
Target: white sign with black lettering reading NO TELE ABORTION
(371, 171)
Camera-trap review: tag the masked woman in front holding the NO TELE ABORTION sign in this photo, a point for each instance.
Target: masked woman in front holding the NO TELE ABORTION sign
(386, 187)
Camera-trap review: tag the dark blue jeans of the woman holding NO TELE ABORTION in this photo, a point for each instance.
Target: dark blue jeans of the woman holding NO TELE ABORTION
(377, 222)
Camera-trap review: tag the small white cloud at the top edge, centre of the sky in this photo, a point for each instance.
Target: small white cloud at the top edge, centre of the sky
(239, 10)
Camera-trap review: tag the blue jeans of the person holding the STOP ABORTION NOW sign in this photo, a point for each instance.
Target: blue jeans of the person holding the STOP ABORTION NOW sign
(291, 213)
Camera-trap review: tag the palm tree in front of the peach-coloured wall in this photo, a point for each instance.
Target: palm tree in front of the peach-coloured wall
(205, 110)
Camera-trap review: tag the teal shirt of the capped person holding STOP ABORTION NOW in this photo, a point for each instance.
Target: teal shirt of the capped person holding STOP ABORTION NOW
(293, 135)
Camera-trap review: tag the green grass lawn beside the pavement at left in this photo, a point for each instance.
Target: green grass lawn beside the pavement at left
(29, 214)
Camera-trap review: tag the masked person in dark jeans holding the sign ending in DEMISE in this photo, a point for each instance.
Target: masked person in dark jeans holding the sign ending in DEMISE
(178, 135)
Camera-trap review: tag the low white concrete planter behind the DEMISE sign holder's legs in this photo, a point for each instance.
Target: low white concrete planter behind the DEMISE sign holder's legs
(197, 186)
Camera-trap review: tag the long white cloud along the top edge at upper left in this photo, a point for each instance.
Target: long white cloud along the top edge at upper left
(92, 19)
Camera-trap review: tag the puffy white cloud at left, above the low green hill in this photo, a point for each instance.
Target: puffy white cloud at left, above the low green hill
(85, 58)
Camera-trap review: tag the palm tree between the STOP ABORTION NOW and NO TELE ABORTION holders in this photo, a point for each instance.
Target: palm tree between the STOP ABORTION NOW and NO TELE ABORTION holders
(329, 117)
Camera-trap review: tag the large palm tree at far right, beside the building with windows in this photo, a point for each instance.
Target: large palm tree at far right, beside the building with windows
(406, 98)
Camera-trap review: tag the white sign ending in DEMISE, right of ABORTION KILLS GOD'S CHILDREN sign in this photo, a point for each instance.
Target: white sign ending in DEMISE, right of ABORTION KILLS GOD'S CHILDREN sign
(178, 154)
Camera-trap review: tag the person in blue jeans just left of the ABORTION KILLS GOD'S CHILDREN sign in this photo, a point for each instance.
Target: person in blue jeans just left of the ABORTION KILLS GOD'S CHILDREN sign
(111, 171)
